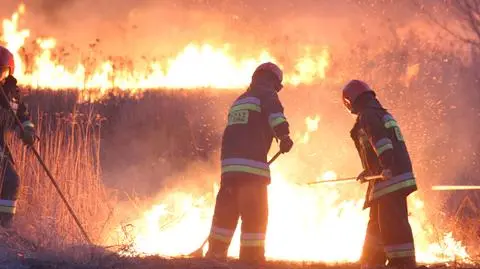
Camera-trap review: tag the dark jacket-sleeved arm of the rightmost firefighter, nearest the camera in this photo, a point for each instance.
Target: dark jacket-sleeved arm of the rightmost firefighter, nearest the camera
(379, 139)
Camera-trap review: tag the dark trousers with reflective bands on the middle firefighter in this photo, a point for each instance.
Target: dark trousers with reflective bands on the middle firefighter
(248, 201)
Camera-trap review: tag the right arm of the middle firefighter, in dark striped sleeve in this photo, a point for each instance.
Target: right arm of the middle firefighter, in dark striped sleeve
(277, 120)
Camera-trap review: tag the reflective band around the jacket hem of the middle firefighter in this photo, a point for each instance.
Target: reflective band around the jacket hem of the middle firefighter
(246, 166)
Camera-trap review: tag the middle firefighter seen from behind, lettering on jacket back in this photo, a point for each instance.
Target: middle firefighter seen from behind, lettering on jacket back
(254, 120)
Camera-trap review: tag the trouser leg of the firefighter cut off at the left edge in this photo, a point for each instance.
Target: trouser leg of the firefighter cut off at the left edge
(8, 195)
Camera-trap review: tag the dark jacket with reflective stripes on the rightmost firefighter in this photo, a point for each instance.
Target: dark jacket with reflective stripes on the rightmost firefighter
(380, 144)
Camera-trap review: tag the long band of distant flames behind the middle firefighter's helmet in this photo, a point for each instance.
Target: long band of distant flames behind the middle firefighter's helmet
(197, 66)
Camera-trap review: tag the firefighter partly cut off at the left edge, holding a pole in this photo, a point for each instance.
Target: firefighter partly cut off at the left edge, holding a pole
(10, 98)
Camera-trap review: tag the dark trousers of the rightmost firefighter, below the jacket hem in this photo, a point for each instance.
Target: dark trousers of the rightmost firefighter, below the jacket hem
(389, 235)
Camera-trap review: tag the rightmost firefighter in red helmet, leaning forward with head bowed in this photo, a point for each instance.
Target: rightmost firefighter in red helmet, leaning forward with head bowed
(382, 151)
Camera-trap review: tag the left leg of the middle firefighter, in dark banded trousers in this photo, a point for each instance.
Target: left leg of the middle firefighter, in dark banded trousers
(224, 222)
